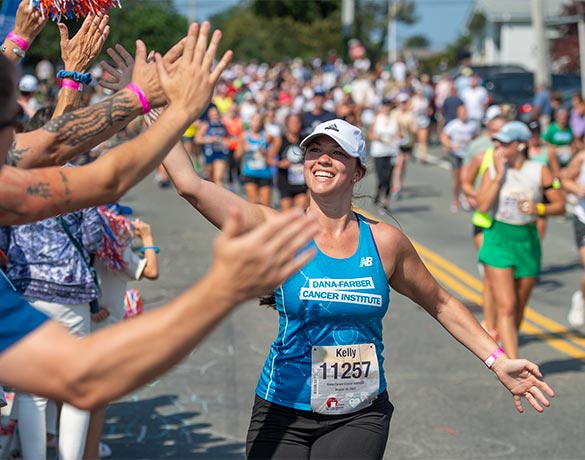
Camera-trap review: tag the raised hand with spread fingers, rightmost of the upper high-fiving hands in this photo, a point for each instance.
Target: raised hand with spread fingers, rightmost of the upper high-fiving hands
(191, 86)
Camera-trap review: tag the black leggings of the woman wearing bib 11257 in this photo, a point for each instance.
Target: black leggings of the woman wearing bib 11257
(279, 432)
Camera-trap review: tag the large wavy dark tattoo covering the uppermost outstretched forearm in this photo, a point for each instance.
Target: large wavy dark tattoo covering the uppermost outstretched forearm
(78, 127)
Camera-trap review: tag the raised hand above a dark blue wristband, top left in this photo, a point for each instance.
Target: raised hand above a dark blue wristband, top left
(80, 51)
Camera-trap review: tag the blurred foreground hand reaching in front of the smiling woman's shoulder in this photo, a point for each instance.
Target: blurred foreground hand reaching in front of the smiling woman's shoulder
(255, 263)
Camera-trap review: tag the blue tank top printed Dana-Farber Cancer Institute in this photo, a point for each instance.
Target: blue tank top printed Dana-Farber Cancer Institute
(330, 302)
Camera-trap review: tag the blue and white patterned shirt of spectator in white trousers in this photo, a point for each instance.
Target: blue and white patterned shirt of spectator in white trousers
(43, 264)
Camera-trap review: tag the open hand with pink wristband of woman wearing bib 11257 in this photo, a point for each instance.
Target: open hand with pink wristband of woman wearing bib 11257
(523, 378)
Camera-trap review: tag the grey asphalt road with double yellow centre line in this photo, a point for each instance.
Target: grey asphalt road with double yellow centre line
(447, 404)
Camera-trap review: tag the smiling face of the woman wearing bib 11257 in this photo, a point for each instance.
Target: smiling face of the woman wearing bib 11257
(327, 166)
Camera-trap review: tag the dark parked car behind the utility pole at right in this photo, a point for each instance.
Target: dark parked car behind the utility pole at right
(517, 90)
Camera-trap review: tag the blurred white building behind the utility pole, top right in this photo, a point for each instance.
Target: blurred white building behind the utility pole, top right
(507, 36)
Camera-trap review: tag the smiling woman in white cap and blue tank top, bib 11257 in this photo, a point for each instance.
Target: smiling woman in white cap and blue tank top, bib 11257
(322, 392)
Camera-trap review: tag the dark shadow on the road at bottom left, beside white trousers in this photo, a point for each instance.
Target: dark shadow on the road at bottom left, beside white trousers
(158, 428)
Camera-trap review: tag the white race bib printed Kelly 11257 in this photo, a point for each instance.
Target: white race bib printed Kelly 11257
(345, 378)
